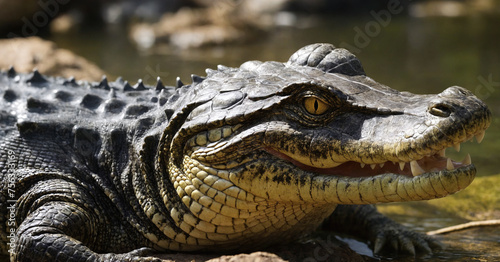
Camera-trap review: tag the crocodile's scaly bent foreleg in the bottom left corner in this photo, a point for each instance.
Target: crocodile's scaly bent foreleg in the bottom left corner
(60, 231)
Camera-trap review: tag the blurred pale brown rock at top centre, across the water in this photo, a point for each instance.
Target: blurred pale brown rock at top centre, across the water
(222, 23)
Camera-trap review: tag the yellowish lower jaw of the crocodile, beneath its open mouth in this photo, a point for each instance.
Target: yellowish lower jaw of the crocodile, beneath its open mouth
(390, 187)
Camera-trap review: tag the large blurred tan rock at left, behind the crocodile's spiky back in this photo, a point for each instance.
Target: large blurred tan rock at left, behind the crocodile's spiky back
(26, 54)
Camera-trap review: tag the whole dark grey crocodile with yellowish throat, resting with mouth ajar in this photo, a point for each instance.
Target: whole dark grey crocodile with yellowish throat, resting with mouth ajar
(241, 159)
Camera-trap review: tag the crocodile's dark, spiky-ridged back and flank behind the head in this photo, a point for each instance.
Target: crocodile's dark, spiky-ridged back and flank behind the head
(60, 139)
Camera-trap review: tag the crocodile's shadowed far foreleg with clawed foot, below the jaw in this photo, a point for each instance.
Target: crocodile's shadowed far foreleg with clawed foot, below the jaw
(382, 232)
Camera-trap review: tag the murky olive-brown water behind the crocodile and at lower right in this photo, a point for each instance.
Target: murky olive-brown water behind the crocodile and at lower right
(416, 55)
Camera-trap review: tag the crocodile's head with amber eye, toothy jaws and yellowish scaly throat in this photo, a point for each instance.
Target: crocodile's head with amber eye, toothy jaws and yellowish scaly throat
(314, 131)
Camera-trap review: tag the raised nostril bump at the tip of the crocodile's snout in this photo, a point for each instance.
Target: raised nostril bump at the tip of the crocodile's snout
(452, 100)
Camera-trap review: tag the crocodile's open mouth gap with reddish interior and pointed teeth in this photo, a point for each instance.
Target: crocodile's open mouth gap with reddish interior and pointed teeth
(433, 163)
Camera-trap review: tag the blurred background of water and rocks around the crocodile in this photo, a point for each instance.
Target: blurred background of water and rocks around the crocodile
(416, 46)
